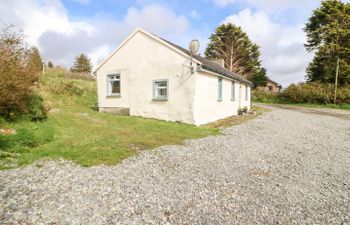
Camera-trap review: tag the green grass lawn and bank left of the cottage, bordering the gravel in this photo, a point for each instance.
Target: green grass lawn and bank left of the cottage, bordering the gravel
(75, 131)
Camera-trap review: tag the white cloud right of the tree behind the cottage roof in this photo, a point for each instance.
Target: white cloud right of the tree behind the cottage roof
(283, 53)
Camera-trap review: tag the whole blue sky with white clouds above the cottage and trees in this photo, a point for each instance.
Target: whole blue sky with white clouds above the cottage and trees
(62, 29)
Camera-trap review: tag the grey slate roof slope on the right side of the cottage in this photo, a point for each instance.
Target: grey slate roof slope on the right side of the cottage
(213, 67)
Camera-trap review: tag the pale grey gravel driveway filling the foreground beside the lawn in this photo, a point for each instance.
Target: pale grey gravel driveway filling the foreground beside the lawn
(286, 167)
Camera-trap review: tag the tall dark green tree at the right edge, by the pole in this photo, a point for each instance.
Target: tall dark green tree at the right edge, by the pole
(328, 35)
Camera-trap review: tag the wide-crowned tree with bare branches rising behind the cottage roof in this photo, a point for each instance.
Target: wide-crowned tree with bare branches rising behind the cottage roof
(241, 55)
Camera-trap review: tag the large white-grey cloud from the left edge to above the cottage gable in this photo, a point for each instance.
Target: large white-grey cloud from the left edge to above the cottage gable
(46, 24)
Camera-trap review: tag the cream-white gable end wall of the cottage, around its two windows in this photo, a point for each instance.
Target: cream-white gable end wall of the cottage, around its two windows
(140, 61)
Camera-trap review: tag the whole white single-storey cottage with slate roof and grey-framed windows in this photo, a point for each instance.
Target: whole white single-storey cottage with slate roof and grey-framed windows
(150, 77)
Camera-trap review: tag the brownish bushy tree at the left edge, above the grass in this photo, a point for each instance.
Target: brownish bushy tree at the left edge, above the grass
(17, 74)
